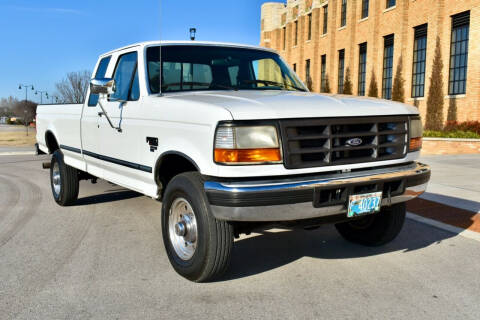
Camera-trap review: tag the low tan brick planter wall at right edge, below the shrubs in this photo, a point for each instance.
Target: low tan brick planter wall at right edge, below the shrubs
(433, 146)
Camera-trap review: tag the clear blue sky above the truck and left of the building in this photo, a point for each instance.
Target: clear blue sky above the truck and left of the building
(43, 40)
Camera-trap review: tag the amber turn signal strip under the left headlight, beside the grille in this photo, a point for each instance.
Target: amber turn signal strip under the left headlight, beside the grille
(247, 155)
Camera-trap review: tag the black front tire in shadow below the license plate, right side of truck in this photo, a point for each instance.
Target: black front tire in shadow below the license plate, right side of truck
(375, 230)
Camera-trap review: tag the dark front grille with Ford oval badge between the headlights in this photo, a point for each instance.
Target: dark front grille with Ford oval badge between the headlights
(336, 141)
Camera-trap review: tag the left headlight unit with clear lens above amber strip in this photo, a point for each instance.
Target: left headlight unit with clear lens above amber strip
(247, 145)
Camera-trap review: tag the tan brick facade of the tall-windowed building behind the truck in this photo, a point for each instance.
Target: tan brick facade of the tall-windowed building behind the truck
(401, 21)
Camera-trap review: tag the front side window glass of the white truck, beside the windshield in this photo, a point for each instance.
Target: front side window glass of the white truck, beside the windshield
(126, 78)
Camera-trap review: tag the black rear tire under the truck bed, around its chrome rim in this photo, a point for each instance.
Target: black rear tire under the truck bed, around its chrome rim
(68, 191)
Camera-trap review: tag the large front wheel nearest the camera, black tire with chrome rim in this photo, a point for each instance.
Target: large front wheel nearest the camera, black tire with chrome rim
(198, 245)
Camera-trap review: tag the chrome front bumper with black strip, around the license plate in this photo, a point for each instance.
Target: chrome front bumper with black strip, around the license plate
(304, 198)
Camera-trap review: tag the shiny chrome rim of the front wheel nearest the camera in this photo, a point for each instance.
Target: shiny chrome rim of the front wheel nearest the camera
(182, 229)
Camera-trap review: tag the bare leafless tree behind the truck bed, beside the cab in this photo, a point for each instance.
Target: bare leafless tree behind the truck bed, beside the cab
(74, 87)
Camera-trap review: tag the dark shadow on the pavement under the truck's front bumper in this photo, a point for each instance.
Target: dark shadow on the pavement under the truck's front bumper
(271, 250)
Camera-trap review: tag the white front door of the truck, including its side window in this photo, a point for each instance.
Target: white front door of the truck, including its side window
(120, 148)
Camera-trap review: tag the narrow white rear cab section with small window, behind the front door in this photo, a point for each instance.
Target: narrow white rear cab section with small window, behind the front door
(90, 126)
